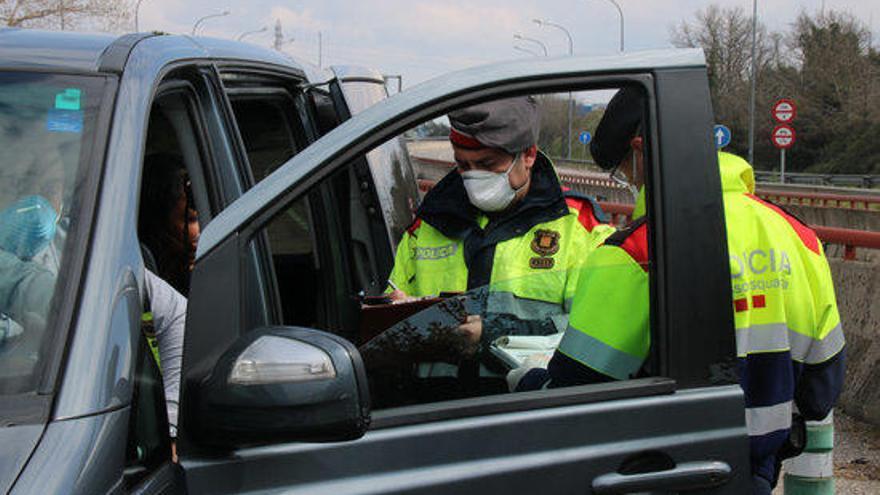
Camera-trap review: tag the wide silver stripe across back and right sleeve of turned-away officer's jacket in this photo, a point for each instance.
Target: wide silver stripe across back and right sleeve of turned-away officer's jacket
(777, 337)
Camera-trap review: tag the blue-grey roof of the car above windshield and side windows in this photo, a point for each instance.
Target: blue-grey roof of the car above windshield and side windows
(88, 52)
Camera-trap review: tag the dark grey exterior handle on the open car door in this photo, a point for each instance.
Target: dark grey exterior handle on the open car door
(685, 476)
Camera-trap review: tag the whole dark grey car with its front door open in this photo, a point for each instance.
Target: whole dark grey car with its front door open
(276, 397)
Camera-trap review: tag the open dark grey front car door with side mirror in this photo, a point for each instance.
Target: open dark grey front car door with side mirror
(288, 408)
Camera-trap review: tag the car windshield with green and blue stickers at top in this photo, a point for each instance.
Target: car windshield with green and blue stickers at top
(47, 125)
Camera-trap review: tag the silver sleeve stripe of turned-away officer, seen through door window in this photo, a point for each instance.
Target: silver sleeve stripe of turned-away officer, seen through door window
(598, 355)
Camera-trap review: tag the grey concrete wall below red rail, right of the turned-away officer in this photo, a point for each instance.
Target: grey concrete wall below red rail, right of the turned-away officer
(858, 284)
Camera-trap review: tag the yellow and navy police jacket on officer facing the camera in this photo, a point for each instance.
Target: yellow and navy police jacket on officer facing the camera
(526, 258)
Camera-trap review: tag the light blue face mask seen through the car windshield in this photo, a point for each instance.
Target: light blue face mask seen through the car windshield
(27, 226)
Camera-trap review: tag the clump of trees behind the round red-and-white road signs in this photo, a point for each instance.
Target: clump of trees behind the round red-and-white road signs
(825, 63)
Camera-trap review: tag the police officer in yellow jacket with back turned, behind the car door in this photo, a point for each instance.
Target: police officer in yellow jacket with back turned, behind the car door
(790, 345)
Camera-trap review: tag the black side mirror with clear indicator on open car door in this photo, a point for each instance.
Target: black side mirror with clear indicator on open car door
(281, 384)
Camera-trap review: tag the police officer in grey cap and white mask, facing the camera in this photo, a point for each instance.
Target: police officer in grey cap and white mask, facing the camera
(500, 221)
